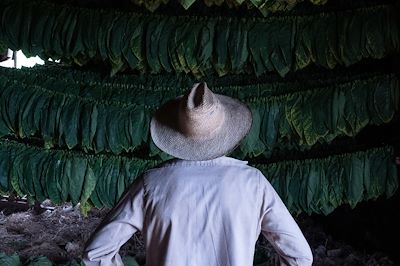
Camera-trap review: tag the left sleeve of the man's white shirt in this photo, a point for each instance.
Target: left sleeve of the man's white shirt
(118, 227)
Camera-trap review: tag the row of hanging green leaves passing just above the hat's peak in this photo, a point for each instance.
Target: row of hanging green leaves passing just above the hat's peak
(199, 45)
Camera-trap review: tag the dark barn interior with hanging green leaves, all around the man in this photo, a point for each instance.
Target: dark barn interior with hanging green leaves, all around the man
(321, 78)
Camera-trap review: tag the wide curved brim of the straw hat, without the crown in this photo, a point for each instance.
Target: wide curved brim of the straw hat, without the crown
(167, 137)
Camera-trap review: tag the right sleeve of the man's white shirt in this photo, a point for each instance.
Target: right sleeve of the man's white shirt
(281, 230)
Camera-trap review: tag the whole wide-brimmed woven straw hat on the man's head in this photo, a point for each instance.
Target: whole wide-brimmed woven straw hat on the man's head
(200, 125)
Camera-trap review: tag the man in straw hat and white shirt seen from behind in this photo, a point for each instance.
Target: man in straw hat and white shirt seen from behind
(203, 209)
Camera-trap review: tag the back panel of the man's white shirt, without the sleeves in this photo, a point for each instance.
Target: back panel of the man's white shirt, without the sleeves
(202, 213)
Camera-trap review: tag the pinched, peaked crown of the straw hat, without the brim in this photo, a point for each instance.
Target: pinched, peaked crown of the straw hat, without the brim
(200, 114)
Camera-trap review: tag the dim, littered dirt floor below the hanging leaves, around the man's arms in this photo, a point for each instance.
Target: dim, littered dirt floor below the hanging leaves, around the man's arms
(60, 234)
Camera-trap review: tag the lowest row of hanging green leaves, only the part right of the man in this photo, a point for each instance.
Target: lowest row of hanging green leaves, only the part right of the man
(321, 185)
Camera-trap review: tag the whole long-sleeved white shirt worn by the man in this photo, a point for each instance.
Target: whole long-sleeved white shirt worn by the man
(200, 213)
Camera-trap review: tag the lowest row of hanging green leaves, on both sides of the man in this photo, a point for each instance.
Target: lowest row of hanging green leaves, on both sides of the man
(312, 185)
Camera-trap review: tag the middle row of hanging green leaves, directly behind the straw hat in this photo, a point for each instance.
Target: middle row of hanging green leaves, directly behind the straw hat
(96, 117)
